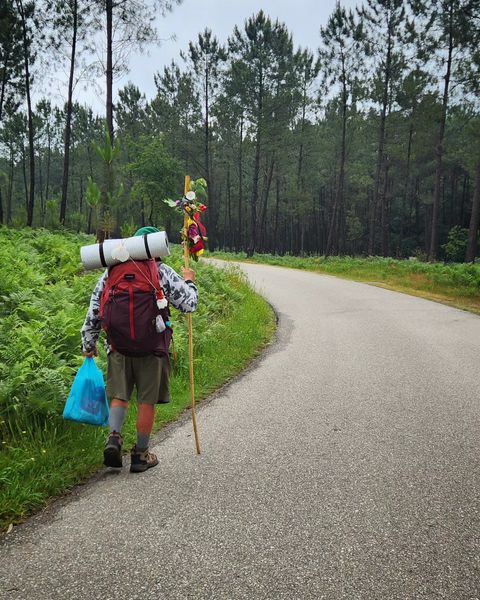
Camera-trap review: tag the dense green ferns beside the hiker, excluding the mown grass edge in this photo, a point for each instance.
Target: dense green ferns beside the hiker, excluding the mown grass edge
(44, 296)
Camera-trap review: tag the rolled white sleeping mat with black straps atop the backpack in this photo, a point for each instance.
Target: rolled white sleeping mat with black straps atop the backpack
(113, 252)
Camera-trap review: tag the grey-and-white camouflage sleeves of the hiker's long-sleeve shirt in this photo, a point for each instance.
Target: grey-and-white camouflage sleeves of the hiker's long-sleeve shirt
(181, 294)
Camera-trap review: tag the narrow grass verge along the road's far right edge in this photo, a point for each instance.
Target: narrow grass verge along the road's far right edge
(456, 284)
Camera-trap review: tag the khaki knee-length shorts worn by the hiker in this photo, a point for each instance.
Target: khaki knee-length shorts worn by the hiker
(149, 374)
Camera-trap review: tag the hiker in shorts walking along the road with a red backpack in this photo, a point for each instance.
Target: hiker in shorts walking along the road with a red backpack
(136, 357)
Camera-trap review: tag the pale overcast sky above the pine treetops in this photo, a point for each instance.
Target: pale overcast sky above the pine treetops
(302, 17)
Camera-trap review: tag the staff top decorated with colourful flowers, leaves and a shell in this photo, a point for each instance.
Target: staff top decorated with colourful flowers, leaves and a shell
(191, 206)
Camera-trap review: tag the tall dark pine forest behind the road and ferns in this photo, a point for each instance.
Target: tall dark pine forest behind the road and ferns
(368, 144)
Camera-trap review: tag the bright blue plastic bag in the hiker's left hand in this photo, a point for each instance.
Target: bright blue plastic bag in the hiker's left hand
(87, 401)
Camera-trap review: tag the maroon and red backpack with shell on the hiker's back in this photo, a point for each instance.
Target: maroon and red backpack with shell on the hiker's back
(131, 305)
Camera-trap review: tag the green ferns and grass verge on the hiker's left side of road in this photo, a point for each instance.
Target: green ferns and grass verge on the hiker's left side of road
(44, 294)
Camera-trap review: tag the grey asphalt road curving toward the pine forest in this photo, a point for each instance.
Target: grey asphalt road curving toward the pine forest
(343, 465)
